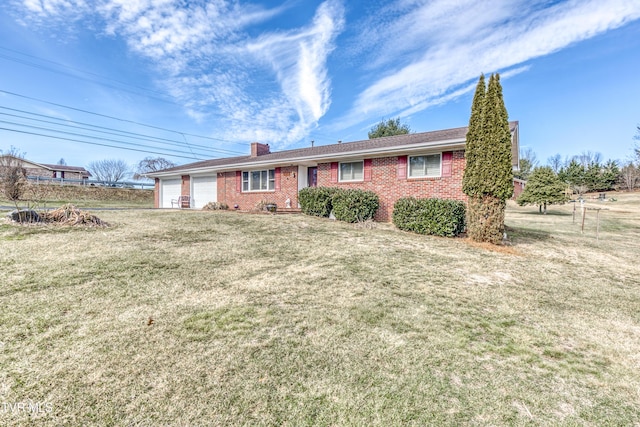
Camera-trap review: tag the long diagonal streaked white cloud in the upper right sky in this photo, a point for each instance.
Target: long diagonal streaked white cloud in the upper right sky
(431, 51)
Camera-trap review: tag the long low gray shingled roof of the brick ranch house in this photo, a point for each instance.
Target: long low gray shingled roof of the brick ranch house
(423, 138)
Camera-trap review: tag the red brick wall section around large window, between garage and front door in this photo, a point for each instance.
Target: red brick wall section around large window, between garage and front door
(227, 192)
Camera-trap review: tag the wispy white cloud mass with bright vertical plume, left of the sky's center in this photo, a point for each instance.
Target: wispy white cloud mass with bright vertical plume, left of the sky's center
(273, 87)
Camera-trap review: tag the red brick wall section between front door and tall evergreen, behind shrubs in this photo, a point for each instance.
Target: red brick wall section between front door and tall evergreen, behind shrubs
(390, 188)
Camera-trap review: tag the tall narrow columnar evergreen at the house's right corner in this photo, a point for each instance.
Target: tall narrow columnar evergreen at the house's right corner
(488, 176)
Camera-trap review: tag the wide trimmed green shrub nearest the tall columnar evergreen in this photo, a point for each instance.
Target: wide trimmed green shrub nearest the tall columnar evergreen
(440, 217)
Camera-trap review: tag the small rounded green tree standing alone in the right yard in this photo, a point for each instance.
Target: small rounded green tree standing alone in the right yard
(543, 188)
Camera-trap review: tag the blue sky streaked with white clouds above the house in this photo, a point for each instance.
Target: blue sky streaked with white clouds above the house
(206, 79)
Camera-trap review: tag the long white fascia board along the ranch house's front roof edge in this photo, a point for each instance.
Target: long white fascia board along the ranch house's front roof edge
(452, 144)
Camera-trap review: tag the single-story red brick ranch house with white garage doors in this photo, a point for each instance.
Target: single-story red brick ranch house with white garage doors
(427, 164)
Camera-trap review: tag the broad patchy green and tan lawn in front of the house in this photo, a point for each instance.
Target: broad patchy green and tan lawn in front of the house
(174, 317)
